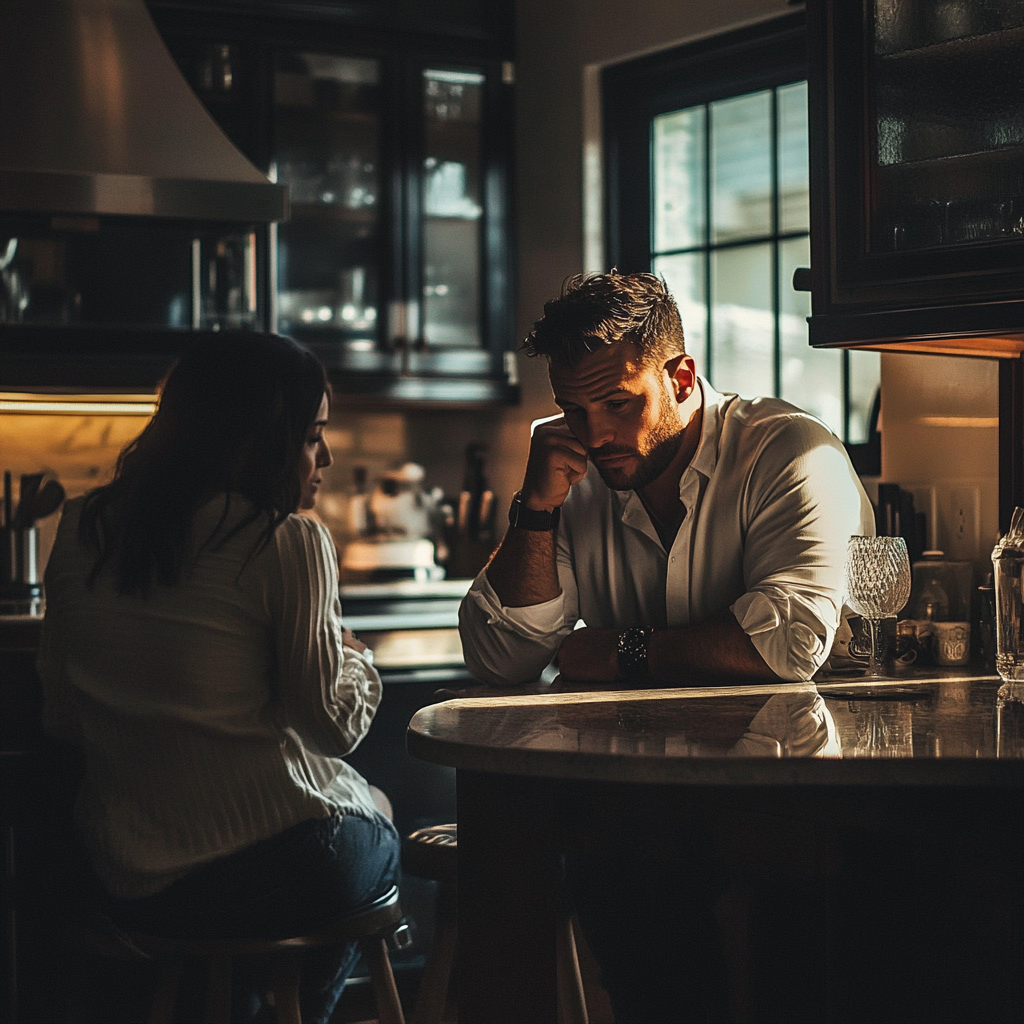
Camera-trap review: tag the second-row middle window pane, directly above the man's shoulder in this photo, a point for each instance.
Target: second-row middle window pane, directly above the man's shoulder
(742, 323)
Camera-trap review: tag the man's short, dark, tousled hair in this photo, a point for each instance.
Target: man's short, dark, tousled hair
(605, 310)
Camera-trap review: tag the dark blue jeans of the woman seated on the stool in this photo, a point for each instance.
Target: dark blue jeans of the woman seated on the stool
(288, 885)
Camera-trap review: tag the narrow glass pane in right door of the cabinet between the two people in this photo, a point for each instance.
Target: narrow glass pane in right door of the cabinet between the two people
(452, 205)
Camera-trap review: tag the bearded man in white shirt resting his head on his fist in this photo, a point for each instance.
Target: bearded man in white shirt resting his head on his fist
(696, 535)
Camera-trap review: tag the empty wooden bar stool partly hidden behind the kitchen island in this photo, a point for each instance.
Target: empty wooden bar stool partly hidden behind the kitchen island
(434, 854)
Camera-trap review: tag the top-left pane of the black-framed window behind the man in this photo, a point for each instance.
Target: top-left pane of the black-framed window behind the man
(679, 180)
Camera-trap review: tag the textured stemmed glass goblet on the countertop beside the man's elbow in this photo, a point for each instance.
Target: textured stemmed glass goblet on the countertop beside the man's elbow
(878, 584)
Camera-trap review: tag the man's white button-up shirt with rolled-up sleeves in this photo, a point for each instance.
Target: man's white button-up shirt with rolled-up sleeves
(772, 502)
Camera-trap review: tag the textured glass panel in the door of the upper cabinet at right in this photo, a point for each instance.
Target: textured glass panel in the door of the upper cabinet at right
(949, 123)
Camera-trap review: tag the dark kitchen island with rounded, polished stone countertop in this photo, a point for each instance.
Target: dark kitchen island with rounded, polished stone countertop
(873, 835)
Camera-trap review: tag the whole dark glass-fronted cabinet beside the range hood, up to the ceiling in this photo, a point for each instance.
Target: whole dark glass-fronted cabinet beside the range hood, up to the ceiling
(397, 264)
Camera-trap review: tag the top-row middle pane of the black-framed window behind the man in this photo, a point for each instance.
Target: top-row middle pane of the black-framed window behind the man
(741, 142)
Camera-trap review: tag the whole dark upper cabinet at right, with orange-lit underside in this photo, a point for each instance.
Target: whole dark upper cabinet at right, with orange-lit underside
(917, 141)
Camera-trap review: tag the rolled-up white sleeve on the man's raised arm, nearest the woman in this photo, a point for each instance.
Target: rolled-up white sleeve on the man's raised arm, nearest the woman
(508, 647)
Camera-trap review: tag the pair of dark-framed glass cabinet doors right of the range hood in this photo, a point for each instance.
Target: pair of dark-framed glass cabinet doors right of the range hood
(395, 261)
